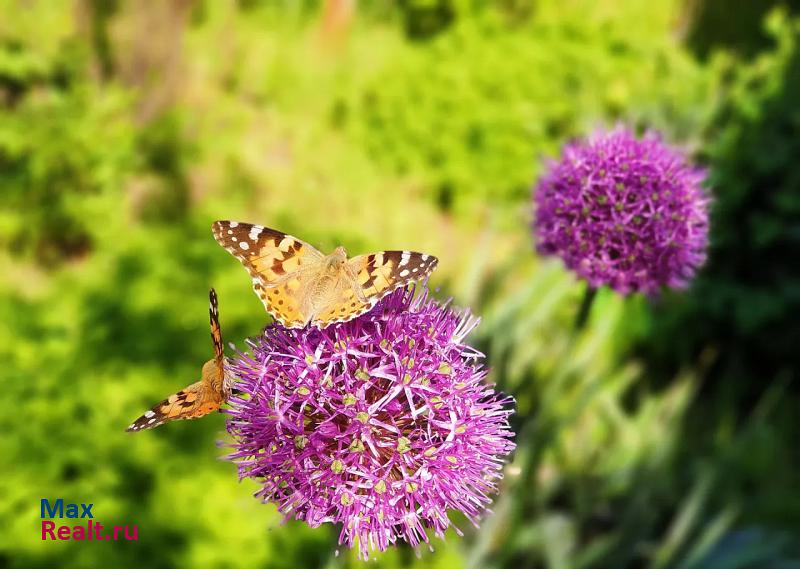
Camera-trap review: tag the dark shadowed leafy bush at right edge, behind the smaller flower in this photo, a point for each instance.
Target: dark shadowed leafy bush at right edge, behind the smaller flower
(747, 298)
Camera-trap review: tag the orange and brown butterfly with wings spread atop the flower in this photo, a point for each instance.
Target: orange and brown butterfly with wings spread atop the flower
(299, 285)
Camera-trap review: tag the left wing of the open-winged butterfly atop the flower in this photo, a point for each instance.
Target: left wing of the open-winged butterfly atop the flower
(281, 266)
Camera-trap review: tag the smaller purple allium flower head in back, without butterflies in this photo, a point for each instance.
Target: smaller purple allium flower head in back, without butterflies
(630, 213)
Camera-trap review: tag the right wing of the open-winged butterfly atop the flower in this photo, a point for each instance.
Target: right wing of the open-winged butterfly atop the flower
(370, 278)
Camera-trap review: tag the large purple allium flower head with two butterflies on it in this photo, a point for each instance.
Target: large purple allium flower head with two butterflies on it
(381, 424)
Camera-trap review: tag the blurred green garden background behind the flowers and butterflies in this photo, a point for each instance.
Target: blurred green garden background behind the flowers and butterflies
(664, 435)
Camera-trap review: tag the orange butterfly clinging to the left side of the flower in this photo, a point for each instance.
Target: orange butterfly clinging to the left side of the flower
(200, 398)
